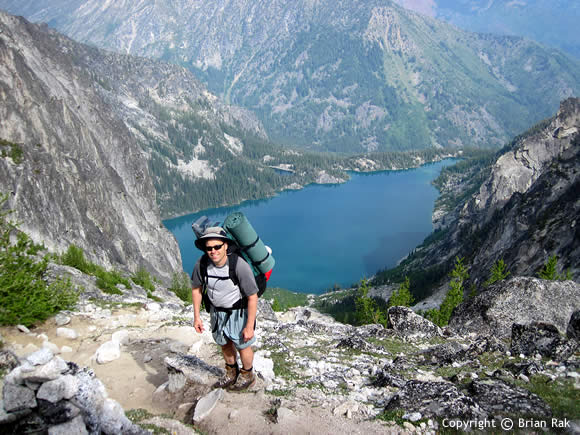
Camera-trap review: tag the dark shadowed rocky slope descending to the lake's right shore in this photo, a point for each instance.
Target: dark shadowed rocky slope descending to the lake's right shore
(520, 207)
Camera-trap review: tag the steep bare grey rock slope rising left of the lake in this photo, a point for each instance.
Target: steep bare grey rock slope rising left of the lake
(74, 173)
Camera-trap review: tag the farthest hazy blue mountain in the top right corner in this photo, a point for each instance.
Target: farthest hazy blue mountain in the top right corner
(549, 22)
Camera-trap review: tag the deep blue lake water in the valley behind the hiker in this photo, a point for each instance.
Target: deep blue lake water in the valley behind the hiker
(326, 235)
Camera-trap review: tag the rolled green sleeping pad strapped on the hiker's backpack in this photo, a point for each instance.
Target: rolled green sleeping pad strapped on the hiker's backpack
(251, 245)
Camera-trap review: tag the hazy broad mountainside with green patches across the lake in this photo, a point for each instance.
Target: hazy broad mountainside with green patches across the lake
(337, 75)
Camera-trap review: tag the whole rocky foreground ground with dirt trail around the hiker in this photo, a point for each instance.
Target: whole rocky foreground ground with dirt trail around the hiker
(315, 375)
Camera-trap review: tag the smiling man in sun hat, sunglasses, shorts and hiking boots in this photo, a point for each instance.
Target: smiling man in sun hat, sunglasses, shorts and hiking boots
(233, 307)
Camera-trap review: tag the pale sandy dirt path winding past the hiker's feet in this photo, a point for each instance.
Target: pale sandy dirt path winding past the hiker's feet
(133, 378)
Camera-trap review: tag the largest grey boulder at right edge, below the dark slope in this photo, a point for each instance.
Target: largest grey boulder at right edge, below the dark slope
(520, 300)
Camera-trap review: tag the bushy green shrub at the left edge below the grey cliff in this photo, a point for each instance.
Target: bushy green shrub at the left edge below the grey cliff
(25, 297)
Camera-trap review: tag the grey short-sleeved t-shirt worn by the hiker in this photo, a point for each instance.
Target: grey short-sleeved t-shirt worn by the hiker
(224, 293)
